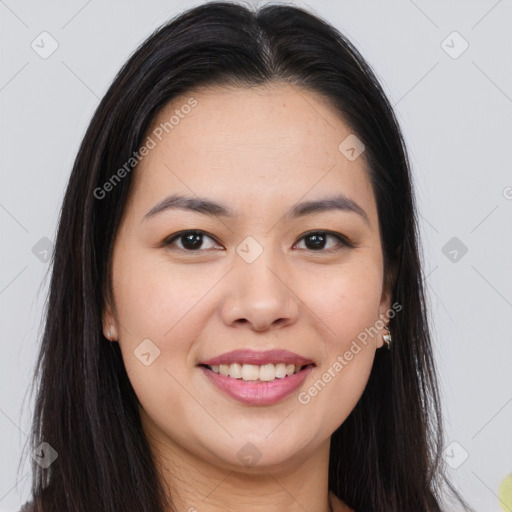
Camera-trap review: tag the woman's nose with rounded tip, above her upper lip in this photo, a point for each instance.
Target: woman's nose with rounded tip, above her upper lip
(259, 295)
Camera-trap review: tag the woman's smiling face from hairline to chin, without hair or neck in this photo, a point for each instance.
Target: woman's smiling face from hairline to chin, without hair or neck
(256, 273)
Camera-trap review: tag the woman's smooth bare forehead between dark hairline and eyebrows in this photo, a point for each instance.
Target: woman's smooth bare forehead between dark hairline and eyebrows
(251, 145)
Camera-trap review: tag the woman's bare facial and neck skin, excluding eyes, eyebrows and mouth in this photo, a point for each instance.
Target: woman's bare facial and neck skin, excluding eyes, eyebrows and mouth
(258, 151)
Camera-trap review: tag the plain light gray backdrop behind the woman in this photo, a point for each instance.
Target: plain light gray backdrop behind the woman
(455, 111)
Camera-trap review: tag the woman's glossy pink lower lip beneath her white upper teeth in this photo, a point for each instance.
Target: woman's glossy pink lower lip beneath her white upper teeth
(255, 392)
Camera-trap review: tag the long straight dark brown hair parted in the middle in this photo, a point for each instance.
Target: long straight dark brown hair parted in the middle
(386, 456)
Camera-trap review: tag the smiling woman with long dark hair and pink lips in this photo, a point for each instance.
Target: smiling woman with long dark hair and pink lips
(236, 317)
